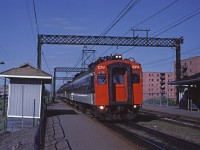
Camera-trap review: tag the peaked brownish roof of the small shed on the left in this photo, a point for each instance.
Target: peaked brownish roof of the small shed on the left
(26, 71)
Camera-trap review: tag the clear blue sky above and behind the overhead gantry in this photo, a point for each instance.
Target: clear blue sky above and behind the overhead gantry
(164, 19)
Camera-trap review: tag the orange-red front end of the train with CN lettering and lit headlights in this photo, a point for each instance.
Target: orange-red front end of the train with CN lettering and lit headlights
(118, 88)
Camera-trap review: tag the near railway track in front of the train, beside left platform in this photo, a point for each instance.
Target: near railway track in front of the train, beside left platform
(149, 138)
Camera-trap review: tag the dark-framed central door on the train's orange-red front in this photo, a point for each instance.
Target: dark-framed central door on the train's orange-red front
(120, 89)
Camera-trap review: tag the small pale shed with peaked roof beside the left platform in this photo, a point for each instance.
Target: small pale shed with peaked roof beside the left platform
(25, 92)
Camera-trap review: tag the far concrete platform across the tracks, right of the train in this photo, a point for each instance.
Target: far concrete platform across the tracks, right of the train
(173, 110)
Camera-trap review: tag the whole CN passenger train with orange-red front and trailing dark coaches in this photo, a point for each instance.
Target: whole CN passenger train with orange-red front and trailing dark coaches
(111, 88)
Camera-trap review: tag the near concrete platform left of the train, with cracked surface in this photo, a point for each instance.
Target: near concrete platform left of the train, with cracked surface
(69, 129)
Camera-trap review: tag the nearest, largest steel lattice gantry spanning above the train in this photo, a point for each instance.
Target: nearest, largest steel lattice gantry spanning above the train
(112, 41)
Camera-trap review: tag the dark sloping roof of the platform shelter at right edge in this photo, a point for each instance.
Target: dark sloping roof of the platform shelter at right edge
(194, 79)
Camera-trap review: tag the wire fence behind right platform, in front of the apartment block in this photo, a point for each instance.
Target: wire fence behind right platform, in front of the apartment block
(158, 99)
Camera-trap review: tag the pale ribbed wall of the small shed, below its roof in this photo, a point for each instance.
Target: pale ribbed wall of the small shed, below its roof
(23, 93)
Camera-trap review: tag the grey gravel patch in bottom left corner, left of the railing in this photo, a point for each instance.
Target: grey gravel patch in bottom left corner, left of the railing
(20, 140)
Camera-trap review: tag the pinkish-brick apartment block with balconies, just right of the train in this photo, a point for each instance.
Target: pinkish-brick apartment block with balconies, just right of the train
(155, 84)
